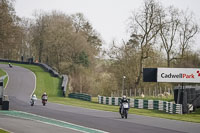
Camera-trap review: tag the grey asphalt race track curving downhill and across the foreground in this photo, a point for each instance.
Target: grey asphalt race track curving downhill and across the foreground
(21, 85)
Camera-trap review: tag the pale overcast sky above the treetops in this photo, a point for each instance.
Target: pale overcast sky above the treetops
(108, 17)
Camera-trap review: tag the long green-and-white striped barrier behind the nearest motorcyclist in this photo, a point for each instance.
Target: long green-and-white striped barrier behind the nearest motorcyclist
(168, 107)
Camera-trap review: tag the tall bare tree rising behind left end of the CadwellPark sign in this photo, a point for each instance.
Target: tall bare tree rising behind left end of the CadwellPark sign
(145, 28)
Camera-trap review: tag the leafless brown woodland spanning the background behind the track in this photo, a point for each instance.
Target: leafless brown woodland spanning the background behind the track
(159, 37)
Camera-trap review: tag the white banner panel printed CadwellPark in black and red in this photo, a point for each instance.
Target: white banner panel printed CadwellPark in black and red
(180, 75)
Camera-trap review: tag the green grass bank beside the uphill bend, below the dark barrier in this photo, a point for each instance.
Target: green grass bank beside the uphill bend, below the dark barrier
(45, 82)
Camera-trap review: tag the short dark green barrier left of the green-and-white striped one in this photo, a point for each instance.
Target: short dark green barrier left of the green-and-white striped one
(80, 96)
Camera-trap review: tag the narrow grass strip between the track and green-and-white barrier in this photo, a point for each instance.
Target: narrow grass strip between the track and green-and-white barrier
(193, 117)
